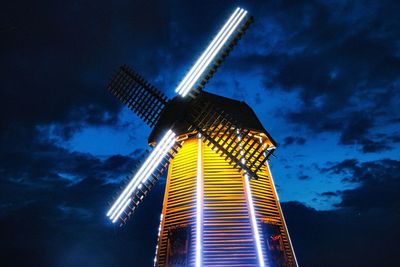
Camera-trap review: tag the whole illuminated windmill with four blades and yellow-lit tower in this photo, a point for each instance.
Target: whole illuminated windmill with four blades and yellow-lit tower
(220, 204)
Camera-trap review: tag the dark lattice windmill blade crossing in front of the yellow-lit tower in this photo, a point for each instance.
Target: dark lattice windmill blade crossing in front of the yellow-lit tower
(223, 134)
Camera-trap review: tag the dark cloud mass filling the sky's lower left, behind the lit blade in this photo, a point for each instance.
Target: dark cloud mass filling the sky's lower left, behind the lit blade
(53, 204)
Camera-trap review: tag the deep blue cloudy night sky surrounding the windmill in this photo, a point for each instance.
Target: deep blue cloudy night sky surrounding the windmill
(323, 77)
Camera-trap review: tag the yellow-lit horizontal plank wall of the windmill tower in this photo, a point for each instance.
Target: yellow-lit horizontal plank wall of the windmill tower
(227, 236)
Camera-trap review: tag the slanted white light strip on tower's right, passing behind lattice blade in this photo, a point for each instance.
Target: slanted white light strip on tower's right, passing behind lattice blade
(253, 219)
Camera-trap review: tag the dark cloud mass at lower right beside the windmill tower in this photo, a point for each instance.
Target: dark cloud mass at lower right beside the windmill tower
(368, 214)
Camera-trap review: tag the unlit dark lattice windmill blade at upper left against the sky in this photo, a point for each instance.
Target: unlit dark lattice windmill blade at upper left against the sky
(139, 95)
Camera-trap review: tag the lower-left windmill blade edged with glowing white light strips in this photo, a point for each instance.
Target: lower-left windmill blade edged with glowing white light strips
(144, 179)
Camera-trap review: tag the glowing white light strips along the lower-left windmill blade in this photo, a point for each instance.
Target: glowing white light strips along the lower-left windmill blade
(163, 147)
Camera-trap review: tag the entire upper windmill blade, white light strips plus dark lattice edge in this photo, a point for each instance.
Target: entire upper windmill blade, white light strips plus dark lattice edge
(215, 53)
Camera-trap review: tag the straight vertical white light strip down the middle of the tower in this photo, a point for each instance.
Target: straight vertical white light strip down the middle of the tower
(199, 205)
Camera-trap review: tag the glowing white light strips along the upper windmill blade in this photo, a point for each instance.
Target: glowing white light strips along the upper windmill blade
(212, 50)
